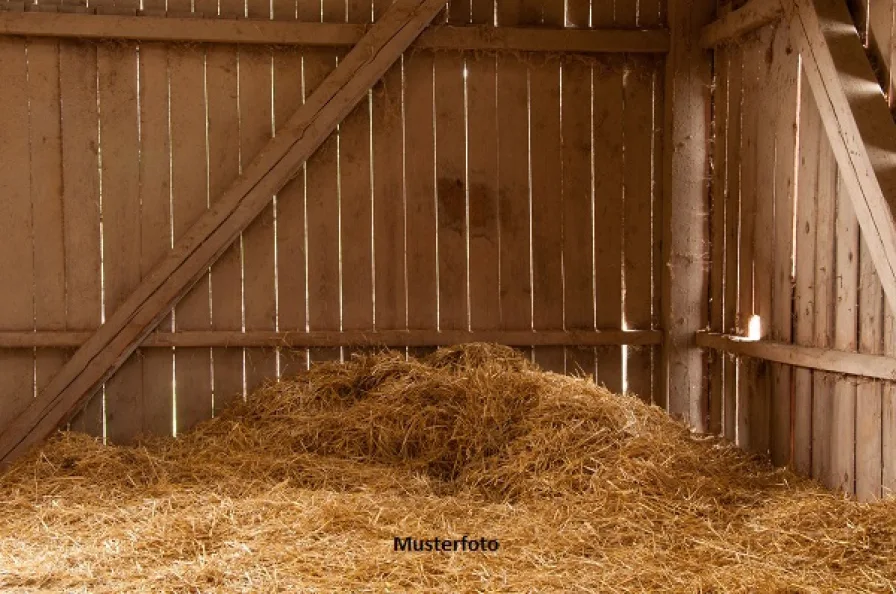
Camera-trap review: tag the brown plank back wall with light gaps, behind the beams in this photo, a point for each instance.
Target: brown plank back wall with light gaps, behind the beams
(471, 191)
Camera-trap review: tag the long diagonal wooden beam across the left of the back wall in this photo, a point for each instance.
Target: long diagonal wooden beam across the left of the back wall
(112, 344)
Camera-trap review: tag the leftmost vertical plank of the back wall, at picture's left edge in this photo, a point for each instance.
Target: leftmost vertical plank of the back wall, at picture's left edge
(16, 262)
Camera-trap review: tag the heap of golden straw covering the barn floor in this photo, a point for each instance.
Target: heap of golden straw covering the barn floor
(306, 485)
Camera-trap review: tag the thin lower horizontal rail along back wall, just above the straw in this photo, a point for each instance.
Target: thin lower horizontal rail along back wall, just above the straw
(390, 338)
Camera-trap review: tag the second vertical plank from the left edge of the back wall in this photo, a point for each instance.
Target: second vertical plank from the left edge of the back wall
(46, 199)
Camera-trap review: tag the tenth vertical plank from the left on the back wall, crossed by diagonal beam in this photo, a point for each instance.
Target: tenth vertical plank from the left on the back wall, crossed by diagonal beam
(324, 282)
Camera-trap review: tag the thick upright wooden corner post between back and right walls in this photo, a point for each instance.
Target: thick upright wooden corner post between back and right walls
(685, 279)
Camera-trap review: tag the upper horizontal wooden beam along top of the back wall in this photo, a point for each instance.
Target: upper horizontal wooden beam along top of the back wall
(246, 31)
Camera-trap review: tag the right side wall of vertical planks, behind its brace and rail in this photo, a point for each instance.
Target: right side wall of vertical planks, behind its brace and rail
(787, 248)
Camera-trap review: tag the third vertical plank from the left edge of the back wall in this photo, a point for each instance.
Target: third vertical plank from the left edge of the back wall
(80, 200)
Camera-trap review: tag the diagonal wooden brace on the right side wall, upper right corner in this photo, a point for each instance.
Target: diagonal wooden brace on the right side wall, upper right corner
(856, 119)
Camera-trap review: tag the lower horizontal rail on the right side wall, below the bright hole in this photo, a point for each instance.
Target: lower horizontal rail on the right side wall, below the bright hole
(834, 361)
